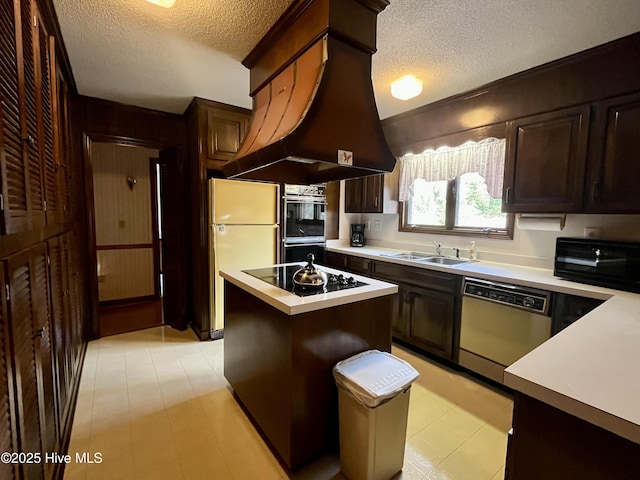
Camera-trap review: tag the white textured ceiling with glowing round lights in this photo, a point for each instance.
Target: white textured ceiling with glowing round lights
(133, 52)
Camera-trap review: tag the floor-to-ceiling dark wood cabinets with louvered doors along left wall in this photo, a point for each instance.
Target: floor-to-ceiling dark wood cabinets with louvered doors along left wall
(42, 248)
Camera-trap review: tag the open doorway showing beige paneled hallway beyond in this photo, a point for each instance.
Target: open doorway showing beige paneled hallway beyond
(129, 185)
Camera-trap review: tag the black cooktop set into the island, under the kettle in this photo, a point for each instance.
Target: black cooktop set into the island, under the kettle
(282, 276)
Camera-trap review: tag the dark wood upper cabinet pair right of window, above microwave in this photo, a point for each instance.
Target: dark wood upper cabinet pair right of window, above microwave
(562, 161)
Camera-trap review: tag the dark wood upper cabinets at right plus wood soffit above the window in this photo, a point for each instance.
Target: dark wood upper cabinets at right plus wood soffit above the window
(573, 130)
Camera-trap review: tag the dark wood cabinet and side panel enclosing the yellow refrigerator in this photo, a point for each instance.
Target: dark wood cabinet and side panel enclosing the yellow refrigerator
(214, 134)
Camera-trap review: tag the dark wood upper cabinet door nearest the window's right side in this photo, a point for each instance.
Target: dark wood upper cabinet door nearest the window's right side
(546, 159)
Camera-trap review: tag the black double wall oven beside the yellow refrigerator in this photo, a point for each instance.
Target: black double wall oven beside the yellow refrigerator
(303, 232)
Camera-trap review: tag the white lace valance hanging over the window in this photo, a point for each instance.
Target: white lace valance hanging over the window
(485, 157)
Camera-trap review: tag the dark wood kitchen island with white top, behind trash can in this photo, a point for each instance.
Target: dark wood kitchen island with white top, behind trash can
(280, 348)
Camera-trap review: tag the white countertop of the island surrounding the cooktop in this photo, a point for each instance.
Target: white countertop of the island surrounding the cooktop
(292, 304)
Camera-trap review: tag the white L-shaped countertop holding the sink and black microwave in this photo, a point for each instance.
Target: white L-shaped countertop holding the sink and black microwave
(591, 369)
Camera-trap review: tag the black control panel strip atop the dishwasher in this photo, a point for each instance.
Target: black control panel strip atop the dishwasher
(513, 295)
